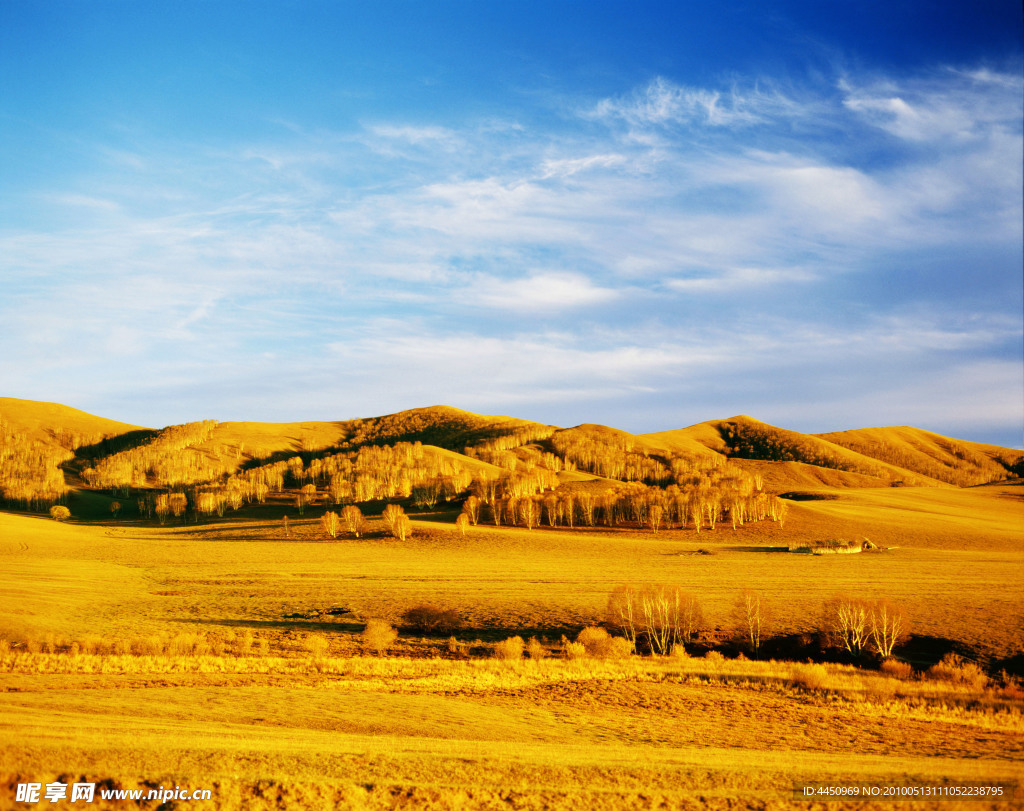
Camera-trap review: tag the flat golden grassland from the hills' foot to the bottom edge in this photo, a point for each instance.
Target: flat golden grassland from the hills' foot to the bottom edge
(166, 654)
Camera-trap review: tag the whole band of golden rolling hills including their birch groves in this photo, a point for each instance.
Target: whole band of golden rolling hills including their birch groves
(48, 448)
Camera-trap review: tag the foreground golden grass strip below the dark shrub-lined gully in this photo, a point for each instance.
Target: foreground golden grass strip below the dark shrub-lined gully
(281, 733)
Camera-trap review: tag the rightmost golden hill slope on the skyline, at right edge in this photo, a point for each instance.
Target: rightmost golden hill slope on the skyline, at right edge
(954, 461)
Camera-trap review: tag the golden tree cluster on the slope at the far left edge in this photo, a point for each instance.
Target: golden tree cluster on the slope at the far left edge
(30, 471)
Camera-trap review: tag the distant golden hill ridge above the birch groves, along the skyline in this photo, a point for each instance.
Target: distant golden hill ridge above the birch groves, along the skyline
(869, 457)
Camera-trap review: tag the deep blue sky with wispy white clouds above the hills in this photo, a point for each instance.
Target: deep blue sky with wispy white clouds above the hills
(633, 214)
